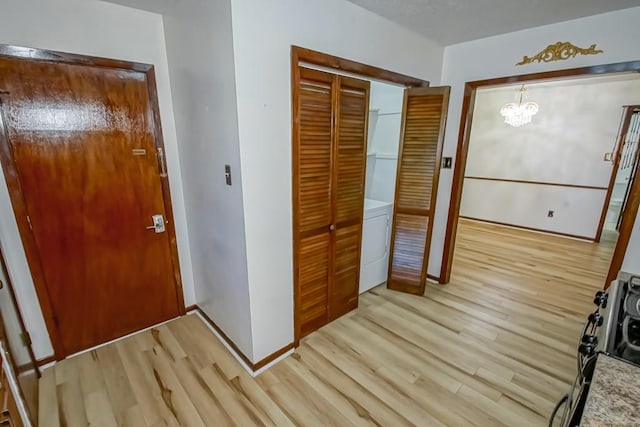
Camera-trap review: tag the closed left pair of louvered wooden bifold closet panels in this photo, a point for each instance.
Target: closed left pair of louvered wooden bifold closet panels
(329, 156)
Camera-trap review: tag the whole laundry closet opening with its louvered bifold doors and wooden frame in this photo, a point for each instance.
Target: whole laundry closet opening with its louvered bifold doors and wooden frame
(365, 151)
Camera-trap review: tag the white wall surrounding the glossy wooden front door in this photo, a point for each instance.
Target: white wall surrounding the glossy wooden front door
(99, 29)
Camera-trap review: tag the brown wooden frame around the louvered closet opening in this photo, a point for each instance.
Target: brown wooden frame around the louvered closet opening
(308, 56)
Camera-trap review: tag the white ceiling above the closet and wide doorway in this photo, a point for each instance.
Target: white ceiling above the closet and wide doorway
(454, 21)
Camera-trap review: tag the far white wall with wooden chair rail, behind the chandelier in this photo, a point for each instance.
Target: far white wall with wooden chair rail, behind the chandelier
(564, 144)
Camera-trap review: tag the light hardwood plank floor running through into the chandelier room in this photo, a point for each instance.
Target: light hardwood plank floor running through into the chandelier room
(495, 347)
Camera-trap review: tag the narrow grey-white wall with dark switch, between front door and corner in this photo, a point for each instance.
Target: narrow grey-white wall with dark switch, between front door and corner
(200, 52)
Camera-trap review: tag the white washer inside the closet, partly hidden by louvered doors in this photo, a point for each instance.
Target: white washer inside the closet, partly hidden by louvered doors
(376, 234)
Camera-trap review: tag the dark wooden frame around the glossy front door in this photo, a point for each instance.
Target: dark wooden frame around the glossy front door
(17, 197)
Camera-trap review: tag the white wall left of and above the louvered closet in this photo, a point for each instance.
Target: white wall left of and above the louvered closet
(263, 34)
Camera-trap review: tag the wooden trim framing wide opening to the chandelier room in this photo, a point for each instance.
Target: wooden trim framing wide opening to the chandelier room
(466, 117)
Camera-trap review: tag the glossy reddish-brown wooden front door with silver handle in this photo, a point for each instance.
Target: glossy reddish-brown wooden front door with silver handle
(81, 150)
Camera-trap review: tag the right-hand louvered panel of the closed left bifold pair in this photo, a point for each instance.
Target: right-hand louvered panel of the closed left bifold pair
(349, 180)
